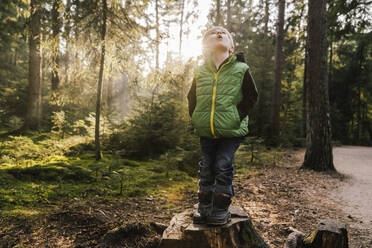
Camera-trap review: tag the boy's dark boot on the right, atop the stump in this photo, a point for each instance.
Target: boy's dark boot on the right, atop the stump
(220, 213)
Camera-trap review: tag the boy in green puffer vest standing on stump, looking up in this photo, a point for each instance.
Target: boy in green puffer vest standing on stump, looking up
(220, 98)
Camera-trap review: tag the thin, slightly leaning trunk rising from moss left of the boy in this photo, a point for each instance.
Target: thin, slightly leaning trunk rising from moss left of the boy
(99, 90)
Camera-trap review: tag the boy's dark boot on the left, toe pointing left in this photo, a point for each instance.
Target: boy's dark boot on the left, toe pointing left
(204, 208)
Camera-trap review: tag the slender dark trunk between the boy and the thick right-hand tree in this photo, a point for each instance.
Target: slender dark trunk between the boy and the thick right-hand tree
(275, 107)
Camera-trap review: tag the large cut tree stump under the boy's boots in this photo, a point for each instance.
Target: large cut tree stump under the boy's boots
(238, 233)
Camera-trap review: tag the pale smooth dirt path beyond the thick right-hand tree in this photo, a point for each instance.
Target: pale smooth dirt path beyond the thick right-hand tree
(356, 194)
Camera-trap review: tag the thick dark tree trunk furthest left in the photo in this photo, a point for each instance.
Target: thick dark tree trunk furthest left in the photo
(33, 117)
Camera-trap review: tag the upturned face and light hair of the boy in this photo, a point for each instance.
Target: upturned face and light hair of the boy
(218, 40)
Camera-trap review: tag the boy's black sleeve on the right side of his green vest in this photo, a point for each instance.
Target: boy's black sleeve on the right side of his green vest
(250, 95)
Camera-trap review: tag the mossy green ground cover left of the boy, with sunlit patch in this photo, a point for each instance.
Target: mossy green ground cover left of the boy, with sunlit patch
(34, 178)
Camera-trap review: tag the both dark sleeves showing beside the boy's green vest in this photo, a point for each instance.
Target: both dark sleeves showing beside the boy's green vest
(249, 90)
